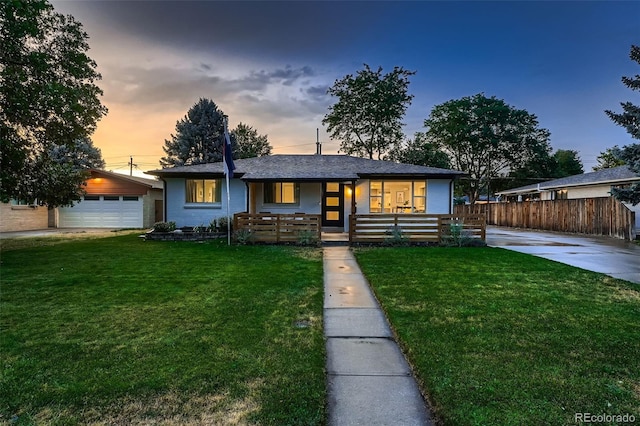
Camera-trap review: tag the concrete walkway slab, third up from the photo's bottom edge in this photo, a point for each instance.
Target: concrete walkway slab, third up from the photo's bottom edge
(355, 322)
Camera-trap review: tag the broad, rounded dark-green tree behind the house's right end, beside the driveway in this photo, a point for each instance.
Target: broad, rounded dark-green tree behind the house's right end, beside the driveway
(485, 138)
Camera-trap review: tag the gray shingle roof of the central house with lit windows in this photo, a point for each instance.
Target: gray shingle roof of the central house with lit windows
(308, 167)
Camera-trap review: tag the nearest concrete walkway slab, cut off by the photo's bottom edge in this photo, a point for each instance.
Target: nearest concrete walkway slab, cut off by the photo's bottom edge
(375, 400)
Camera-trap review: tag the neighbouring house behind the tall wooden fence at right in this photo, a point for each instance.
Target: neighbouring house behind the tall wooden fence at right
(587, 185)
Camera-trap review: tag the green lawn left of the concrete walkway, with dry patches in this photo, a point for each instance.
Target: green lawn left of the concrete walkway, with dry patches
(118, 331)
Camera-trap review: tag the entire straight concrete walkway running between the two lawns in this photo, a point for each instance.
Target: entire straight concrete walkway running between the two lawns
(369, 380)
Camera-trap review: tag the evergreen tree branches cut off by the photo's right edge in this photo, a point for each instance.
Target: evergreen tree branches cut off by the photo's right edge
(630, 120)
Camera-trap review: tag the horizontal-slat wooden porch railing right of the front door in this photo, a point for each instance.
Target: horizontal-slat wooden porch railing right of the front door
(428, 228)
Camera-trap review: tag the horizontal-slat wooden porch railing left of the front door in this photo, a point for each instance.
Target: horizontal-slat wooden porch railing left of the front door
(277, 228)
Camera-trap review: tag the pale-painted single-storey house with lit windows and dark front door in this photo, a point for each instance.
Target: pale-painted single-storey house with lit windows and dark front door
(312, 184)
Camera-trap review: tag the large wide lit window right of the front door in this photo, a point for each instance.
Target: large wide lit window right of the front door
(397, 196)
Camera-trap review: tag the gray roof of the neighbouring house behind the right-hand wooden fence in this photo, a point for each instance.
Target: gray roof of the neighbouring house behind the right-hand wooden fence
(613, 175)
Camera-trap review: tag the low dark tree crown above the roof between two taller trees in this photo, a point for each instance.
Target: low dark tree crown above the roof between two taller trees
(420, 151)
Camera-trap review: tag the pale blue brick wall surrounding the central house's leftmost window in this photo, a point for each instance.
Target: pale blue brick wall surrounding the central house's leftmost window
(183, 215)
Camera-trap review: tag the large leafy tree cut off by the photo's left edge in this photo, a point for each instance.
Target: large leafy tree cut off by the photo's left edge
(48, 99)
